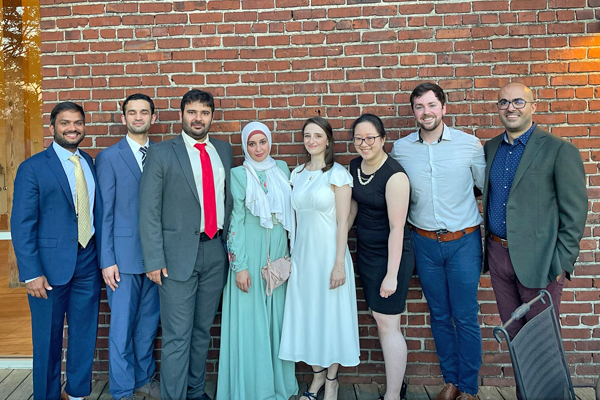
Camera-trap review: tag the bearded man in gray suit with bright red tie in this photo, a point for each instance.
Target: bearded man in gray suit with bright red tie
(185, 205)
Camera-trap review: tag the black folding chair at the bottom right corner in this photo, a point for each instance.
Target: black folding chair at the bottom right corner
(537, 354)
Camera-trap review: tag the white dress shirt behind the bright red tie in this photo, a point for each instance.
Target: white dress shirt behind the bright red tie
(218, 174)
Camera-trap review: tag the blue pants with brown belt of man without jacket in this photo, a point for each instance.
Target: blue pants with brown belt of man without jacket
(449, 274)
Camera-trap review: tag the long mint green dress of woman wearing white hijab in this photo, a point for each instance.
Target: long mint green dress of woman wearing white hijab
(249, 366)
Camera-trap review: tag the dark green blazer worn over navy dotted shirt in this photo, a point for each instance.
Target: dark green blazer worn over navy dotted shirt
(546, 209)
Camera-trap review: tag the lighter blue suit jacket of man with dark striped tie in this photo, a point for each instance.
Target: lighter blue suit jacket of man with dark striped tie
(119, 178)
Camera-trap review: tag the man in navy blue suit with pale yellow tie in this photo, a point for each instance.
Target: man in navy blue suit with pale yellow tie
(55, 209)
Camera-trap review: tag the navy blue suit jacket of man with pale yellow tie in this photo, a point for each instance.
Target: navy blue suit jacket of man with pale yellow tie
(43, 222)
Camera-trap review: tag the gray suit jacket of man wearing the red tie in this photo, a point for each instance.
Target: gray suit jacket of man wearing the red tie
(170, 212)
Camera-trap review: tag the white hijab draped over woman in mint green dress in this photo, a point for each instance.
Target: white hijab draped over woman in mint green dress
(278, 199)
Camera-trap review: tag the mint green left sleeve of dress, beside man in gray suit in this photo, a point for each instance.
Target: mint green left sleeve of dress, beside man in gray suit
(236, 239)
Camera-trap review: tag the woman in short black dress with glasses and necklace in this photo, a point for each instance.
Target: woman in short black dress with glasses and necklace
(384, 256)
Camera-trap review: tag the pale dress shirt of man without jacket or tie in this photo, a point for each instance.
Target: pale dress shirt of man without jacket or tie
(442, 176)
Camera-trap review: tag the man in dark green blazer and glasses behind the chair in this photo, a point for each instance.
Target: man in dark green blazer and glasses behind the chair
(535, 207)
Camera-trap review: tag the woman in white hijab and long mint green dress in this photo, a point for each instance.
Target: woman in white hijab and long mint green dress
(249, 367)
